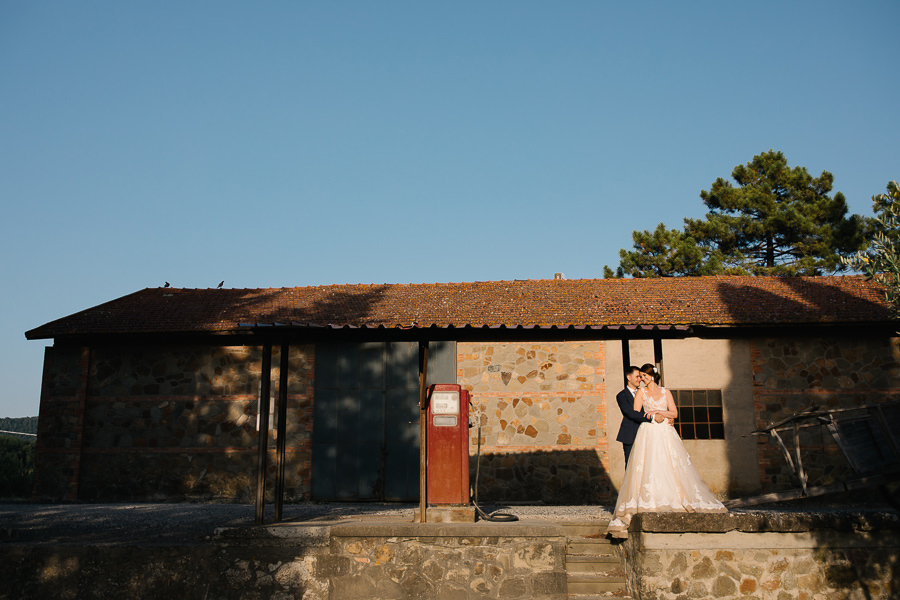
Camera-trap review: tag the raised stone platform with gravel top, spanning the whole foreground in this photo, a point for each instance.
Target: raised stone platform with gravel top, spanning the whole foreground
(215, 551)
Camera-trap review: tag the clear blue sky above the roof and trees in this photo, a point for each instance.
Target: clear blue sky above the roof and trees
(300, 143)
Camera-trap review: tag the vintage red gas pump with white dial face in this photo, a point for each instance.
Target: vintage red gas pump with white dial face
(447, 454)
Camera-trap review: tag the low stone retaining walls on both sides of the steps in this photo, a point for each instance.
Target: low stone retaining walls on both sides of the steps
(751, 556)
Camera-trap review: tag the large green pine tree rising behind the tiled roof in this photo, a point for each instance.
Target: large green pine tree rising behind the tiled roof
(778, 220)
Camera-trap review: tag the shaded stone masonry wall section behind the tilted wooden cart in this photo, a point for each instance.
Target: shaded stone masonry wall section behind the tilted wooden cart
(790, 375)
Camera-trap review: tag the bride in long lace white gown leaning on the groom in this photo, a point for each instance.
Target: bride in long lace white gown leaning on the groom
(659, 476)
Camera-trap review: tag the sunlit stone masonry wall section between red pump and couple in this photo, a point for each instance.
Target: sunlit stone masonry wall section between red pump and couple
(542, 412)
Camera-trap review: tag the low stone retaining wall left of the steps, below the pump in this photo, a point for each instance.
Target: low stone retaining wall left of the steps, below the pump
(314, 562)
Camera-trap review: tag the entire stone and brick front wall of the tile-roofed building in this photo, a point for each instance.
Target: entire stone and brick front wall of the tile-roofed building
(179, 422)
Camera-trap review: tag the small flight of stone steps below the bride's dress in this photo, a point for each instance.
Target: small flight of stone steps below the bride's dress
(594, 568)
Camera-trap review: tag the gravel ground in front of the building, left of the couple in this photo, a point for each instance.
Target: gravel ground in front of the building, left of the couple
(166, 523)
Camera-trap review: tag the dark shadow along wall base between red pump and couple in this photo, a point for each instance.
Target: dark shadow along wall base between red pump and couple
(549, 477)
